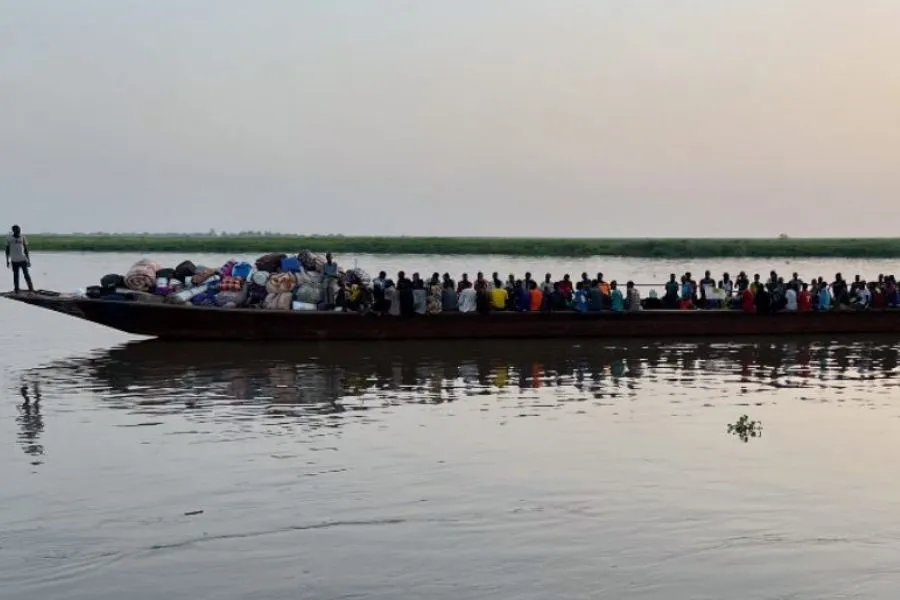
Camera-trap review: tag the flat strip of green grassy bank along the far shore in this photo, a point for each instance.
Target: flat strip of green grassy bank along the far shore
(572, 247)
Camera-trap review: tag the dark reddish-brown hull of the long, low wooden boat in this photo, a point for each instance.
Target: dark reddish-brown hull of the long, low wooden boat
(169, 321)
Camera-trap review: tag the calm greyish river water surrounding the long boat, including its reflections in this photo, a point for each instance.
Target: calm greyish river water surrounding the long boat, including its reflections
(138, 469)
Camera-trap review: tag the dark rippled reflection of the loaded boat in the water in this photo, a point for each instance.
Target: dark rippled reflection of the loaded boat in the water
(324, 380)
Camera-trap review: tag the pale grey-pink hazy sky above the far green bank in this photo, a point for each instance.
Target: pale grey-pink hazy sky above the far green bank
(460, 117)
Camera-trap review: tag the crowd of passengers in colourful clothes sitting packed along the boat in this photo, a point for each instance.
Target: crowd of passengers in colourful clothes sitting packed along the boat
(415, 295)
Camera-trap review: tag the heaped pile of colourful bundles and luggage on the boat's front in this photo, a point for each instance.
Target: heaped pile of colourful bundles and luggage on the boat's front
(272, 282)
